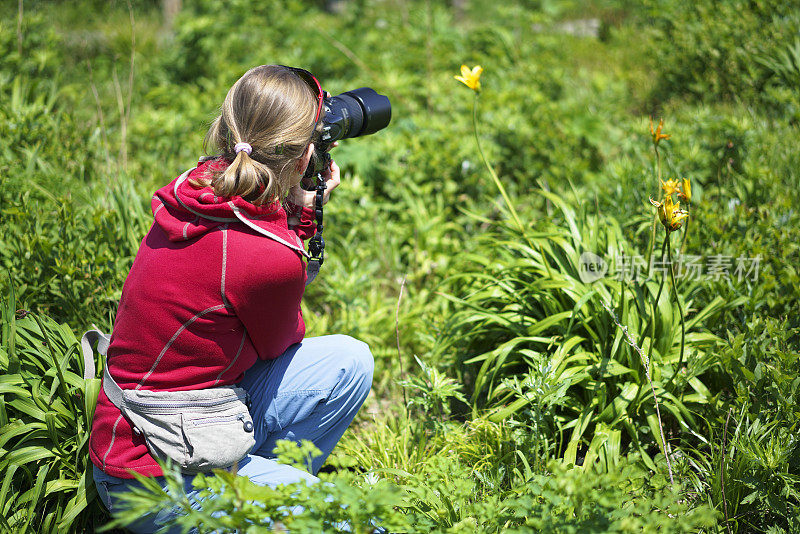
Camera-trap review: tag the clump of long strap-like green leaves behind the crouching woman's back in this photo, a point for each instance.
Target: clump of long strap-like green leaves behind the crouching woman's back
(46, 410)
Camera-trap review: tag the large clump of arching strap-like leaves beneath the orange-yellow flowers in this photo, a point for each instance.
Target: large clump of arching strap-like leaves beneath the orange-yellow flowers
(528, 302)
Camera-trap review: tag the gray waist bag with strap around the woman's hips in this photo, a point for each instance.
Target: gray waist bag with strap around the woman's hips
(199, 430)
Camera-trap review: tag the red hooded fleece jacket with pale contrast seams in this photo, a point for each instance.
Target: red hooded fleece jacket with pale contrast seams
(216, 283)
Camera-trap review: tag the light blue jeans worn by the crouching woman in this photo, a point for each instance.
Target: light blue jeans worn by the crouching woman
(312, 391)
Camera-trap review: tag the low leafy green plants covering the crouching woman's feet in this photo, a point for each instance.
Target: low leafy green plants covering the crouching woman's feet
(225, 502)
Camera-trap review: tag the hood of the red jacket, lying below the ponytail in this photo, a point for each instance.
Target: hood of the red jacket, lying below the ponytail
(184, 211)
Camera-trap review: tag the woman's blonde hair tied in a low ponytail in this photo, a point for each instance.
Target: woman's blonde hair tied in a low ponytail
(272, 109)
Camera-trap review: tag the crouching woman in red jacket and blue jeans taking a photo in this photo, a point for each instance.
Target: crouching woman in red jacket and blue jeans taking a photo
(213, 296)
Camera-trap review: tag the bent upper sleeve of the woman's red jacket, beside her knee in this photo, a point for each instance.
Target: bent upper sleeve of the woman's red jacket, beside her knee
(267, 284)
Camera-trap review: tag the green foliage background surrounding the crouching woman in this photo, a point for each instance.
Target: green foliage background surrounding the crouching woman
(511, 379)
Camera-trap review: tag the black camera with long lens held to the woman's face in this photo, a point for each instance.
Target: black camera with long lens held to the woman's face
(353, 113)
